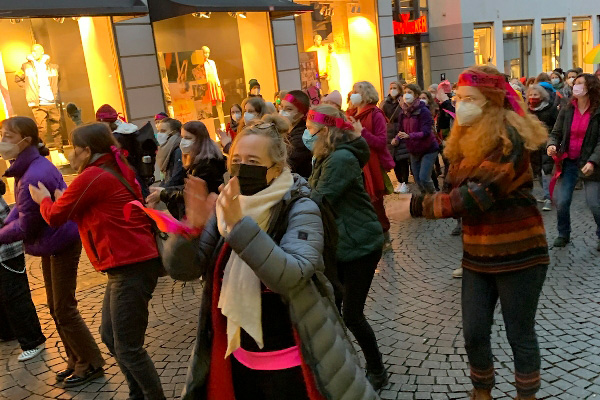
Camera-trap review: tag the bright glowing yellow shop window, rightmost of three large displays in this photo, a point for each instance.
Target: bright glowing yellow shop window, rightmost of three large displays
(338, 45)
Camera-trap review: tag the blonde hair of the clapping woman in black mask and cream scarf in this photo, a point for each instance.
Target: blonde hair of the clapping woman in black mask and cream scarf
(275, 128)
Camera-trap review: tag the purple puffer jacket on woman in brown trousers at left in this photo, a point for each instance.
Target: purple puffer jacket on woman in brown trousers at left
(25, 221)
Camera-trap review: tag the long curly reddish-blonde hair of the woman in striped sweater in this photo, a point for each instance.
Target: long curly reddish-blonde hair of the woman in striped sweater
(476, 142)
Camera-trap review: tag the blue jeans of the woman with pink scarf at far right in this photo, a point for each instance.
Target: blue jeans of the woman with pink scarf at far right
(563, 195)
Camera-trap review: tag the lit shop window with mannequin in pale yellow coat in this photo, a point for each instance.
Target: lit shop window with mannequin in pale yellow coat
(207, 61)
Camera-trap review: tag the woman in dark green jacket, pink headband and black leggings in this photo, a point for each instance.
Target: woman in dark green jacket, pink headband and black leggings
(340, 154)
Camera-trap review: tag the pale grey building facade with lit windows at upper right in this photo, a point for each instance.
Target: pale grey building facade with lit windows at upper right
(520, 38)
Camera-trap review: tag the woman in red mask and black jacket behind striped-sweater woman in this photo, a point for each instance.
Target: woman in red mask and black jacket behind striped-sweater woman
(539, 104)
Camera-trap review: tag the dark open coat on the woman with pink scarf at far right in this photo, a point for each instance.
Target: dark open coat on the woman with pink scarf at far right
(590, 149)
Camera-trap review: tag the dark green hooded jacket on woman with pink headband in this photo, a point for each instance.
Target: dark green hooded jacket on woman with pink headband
(338, 178)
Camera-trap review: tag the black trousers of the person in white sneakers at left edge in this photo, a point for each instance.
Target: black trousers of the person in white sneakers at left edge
(18, 317)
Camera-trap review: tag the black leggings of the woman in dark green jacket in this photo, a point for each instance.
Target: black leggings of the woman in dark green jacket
(356, 276)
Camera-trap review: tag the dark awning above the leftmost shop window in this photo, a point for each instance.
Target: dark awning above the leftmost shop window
(70, 8)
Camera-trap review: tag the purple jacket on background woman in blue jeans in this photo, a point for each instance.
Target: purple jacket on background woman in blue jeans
(417, 121)
